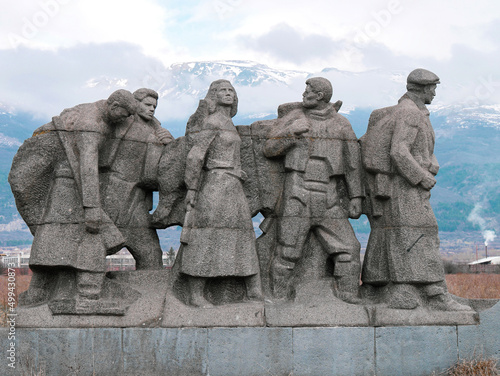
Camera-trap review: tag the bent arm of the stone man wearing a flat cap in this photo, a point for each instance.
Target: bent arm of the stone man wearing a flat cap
(402, 140)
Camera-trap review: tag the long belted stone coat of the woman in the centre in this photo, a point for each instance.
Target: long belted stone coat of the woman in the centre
(218, 236)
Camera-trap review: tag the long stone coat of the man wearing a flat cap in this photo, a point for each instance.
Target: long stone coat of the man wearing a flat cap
(404, 245)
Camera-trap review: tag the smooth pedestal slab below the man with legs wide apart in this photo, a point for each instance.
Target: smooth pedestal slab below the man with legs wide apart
(333, 351)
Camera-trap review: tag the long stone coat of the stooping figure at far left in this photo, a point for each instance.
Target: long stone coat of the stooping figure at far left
(60, 237)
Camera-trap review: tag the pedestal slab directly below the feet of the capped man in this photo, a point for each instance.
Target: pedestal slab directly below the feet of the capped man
(415, 350)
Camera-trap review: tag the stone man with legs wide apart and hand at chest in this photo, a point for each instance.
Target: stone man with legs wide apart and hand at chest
(321, 153)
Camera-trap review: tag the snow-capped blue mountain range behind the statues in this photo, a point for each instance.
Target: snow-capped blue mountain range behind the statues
(466, 197)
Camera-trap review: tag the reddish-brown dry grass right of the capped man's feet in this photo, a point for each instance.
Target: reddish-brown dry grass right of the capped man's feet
(474, 286)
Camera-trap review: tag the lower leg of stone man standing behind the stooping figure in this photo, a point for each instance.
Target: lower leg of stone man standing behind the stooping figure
(144, 246)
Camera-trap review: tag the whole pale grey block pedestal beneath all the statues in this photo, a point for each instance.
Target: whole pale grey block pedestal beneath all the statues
(252, 351)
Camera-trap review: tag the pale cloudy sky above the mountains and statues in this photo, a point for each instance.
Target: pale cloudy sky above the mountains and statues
(52, 52)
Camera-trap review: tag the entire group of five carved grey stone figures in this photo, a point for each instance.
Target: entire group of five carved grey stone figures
(84, 182)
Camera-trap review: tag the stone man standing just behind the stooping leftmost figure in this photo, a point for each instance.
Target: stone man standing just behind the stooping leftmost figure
(128, 179)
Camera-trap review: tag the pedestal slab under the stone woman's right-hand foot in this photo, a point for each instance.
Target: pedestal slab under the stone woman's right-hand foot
(250, 351)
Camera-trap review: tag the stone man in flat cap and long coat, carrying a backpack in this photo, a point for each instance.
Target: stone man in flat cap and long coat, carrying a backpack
(402, 260)
